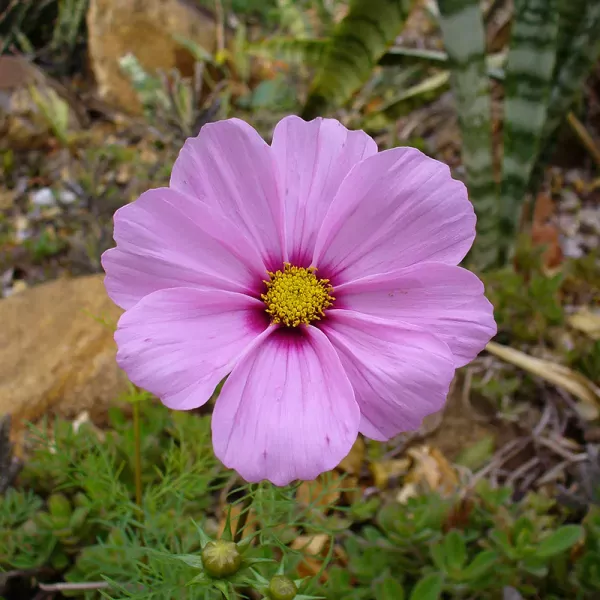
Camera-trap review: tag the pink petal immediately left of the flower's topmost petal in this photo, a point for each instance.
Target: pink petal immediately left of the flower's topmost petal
(231, 168)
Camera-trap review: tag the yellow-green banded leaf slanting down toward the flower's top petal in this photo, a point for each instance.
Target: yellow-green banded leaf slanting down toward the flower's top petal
(357, 43)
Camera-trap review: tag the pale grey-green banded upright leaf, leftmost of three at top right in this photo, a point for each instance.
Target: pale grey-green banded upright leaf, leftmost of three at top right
(464, 38)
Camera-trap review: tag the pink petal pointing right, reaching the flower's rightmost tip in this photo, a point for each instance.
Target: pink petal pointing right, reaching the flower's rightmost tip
(445, 300)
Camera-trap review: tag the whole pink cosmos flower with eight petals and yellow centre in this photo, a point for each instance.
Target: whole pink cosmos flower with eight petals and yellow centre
(317, 272)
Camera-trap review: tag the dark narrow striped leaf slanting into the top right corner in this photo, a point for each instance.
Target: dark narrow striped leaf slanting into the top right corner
(583, 49)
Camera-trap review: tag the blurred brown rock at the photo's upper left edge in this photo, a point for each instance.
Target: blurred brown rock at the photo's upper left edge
(22, 123)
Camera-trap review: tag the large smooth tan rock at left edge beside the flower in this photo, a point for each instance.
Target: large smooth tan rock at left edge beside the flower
(55, 357)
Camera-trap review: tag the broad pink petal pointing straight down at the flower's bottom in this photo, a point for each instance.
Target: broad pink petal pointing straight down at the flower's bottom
(287, 411)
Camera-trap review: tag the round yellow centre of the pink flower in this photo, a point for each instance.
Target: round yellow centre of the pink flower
(294, 295)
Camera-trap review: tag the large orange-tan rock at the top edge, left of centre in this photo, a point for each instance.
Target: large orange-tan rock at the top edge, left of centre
(147, 29)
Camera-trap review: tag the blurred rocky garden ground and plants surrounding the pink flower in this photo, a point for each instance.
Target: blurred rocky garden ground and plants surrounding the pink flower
(496, 497)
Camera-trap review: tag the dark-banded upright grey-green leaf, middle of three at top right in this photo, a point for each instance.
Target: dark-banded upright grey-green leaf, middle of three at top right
(529, 70)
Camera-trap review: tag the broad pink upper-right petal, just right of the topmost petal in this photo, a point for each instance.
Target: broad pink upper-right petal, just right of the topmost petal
(393, 210)
